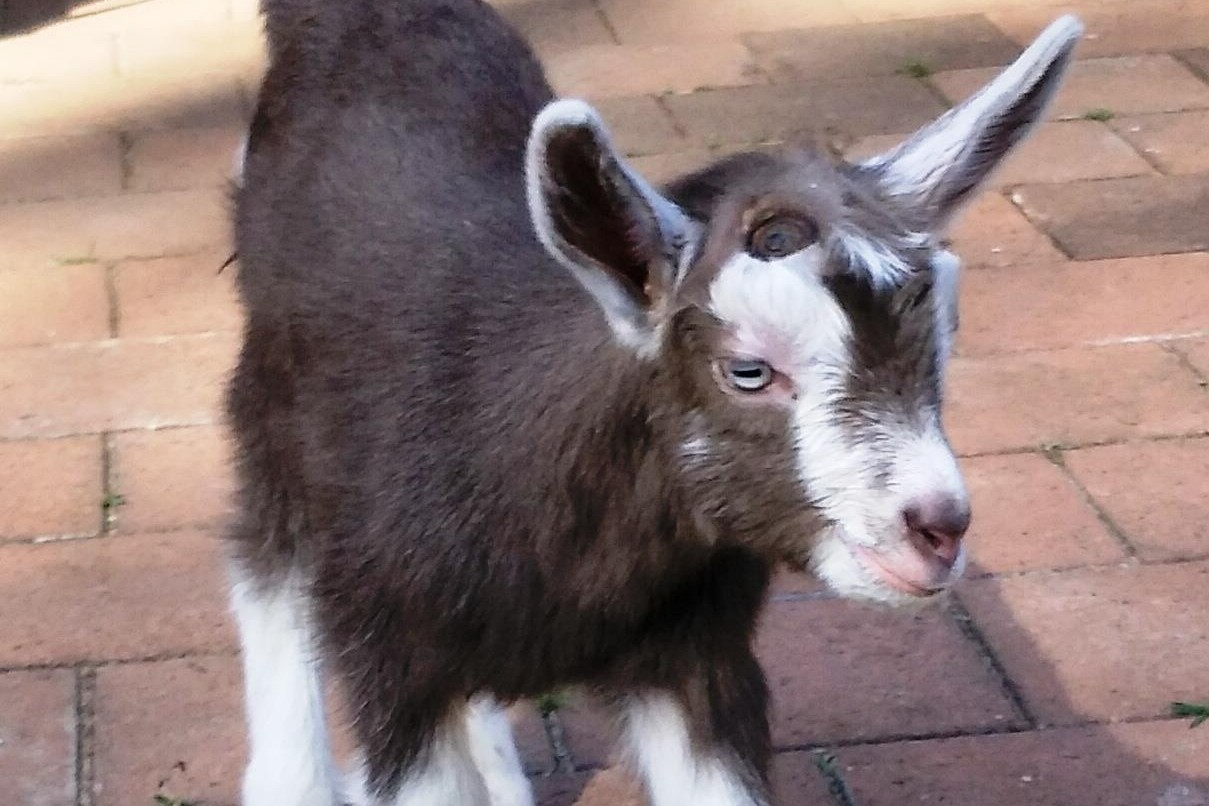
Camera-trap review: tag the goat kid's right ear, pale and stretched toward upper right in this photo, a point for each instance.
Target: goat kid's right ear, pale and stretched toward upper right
(941, 165)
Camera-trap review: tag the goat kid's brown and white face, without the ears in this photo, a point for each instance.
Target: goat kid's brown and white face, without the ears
(808, 337)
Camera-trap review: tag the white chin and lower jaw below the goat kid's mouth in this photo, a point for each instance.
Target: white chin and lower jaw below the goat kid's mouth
(855, 573)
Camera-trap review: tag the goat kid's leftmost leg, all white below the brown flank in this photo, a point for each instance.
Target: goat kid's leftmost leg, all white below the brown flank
(291, 762)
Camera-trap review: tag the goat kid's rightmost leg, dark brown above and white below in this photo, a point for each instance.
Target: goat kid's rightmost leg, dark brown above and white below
(705, 741)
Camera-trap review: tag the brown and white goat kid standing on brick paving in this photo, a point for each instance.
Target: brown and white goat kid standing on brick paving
(510, 419)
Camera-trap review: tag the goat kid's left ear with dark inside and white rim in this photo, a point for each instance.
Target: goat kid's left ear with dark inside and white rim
(600, 219)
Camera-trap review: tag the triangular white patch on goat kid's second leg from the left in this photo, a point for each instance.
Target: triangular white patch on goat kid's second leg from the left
(447, 776)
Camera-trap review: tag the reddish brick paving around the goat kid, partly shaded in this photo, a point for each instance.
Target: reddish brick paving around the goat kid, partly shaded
(1080, 399)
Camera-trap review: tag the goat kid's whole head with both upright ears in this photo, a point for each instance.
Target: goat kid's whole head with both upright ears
(801, 314)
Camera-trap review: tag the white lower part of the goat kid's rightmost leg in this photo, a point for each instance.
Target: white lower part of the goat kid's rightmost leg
(657, 732)
